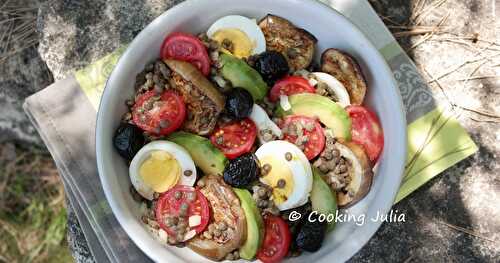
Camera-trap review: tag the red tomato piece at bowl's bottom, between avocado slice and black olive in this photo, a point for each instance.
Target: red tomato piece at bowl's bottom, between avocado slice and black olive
(276, 240)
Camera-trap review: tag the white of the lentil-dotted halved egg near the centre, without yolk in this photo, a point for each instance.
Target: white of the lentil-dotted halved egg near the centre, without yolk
(299, 167)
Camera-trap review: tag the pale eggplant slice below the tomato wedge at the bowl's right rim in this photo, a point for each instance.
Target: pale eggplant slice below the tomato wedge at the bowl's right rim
(360, 174)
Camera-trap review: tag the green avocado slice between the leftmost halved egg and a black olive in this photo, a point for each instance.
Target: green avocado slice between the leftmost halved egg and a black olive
(205, 155)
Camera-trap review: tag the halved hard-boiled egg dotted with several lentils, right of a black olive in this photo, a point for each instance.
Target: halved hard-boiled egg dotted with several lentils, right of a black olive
(286, 169)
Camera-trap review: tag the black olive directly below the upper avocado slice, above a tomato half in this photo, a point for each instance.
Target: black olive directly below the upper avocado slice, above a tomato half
(239, 103)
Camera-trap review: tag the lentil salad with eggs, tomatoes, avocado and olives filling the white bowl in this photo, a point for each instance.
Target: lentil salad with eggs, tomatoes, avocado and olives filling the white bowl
(194, 113)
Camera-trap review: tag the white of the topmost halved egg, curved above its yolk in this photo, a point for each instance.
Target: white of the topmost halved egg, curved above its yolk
(246, 25)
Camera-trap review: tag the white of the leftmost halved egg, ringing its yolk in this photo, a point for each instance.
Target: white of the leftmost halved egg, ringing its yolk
(178, 152)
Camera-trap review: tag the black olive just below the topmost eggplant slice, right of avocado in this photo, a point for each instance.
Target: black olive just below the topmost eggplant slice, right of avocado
(272, 66)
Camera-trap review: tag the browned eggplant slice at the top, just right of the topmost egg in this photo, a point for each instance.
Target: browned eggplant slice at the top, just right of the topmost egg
(296, 44)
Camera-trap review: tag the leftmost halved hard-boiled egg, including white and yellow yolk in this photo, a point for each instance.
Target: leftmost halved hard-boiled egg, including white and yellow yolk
(159, 166)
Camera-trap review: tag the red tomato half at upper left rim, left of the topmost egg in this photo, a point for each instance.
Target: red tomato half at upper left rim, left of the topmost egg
(185, 47)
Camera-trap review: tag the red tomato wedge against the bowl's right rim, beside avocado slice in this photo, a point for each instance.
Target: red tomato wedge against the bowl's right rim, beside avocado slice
(366, 130)
